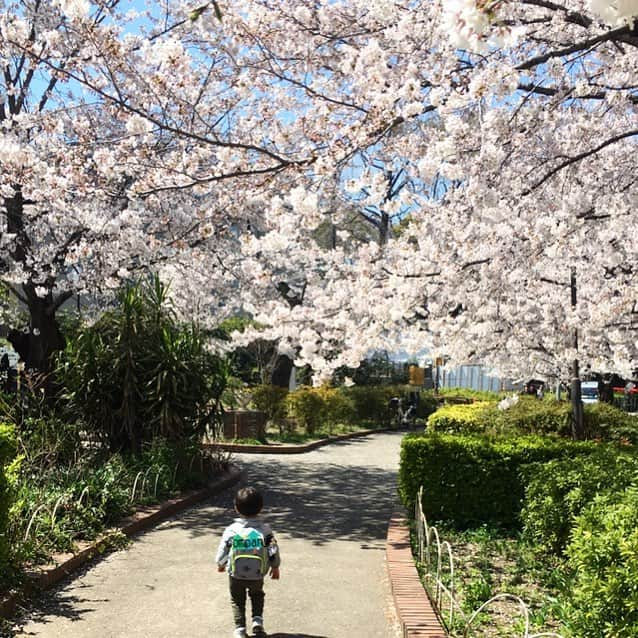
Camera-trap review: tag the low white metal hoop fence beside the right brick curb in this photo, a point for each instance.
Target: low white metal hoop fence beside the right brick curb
(436, 559)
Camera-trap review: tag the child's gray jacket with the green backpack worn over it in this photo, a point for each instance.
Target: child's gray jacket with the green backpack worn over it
(248, 549)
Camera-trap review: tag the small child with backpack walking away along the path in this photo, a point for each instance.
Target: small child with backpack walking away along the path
(248, 551)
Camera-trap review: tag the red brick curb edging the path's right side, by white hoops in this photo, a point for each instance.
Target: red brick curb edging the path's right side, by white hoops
(417, 616)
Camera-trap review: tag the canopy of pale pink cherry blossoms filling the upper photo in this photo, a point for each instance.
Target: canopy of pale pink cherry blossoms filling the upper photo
(215, 136)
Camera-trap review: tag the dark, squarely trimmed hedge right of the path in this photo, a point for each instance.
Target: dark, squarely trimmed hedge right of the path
(469, 480)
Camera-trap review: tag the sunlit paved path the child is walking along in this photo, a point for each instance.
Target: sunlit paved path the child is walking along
(330, 510)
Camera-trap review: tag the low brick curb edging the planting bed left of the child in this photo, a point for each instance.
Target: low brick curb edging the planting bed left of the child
(143, 518)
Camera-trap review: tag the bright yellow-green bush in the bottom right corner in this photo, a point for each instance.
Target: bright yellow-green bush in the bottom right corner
(603, 600)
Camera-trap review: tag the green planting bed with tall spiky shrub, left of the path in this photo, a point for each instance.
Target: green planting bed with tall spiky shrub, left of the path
(134, 394)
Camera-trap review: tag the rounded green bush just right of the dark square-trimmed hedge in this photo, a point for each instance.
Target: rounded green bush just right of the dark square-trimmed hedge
(557, 491)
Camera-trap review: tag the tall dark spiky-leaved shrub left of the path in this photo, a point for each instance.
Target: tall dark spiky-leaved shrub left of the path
(137, 374)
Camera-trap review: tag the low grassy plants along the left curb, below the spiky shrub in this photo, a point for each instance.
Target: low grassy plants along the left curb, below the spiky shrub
(66, 504)
